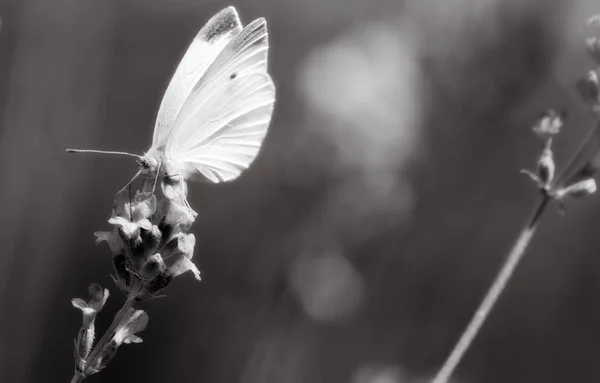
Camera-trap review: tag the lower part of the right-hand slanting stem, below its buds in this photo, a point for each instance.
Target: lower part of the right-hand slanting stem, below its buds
(494, 292)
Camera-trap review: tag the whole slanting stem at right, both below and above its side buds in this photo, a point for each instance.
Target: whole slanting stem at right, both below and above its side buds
(507, 270)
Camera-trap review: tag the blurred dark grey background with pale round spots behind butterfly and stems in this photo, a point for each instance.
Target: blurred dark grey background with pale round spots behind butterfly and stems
(359, 243)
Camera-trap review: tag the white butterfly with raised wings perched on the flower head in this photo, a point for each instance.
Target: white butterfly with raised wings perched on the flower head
(216, 110)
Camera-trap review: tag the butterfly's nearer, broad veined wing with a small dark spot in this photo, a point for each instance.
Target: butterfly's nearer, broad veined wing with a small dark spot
(222, 124)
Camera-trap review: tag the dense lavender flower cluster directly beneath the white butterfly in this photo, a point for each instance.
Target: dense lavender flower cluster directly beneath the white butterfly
(150, 242)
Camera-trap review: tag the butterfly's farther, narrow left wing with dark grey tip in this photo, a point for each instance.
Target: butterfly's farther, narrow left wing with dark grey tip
(202, 52)
